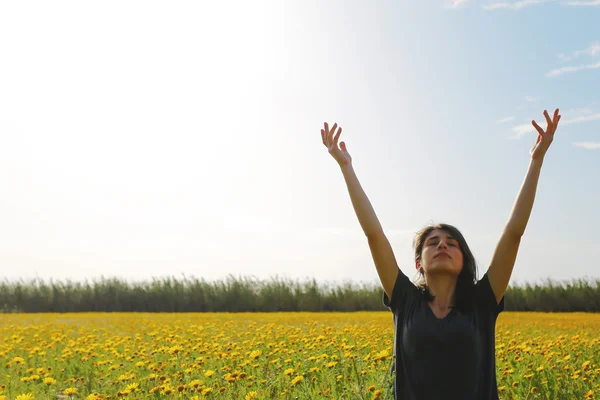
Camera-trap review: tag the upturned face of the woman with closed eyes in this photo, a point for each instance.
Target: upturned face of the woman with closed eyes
(440, 254)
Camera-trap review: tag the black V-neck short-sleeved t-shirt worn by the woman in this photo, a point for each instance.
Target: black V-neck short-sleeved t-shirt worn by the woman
(451, 357)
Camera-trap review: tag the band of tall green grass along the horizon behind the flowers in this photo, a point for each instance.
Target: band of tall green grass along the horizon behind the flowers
(245, 294)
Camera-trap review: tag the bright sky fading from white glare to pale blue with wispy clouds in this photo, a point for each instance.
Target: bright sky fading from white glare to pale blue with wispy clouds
(145, 139)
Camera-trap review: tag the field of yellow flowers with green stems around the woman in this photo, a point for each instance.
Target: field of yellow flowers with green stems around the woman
(269, 355)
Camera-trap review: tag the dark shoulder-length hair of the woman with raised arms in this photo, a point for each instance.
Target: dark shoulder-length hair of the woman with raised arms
(465, 283)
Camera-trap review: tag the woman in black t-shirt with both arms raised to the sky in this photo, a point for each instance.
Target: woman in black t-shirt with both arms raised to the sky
(444, 326)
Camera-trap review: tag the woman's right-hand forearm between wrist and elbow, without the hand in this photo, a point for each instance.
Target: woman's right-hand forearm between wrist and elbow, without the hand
(524, 203)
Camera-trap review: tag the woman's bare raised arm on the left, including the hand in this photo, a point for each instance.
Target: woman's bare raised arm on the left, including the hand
(381, 250)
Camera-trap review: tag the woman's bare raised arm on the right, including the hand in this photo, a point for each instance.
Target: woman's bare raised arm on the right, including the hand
(506, 250)
